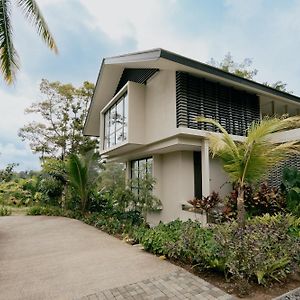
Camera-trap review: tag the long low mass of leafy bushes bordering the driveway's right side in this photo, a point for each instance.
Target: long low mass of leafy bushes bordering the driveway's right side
(267, 249)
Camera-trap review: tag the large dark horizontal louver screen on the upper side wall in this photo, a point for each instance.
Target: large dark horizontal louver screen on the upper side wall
(233, 108)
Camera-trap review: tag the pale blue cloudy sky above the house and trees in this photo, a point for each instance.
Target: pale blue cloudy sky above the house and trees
(267, 31)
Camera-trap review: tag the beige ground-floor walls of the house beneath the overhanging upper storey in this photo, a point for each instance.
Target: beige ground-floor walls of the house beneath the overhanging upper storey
(181, 176)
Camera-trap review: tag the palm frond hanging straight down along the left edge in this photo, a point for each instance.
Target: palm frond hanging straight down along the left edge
(9, 60)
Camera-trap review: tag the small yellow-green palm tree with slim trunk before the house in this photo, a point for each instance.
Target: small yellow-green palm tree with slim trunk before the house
(249, 160)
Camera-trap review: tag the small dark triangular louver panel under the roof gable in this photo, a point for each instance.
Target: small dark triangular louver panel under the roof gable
(135, 75)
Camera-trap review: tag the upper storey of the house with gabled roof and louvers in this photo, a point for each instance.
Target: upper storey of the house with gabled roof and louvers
(149, 97)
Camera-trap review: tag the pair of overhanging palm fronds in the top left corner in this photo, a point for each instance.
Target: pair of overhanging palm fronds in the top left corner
(9, 59)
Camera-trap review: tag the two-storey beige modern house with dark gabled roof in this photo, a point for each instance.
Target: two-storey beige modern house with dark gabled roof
(144, 108)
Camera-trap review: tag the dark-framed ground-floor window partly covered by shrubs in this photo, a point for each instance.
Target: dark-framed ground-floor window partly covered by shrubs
(139, 169)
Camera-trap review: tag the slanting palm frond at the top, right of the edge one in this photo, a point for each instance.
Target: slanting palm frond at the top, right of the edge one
(34, 15)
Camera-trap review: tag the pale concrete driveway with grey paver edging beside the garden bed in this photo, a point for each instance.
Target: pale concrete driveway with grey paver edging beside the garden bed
(59, 258)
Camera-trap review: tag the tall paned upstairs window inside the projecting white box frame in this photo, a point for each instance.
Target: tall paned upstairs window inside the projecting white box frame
(115, 123)
